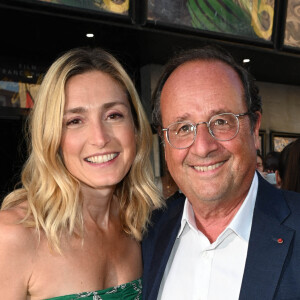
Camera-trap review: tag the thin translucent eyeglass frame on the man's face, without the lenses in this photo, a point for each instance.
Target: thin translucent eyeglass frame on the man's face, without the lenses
(208, 127)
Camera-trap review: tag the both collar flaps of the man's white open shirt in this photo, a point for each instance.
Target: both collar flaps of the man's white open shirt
(240, 224)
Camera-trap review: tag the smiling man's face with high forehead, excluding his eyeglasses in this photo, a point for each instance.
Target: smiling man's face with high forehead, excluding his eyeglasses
(195, 92)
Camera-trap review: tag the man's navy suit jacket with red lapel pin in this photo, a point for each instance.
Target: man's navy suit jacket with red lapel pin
(272, 269)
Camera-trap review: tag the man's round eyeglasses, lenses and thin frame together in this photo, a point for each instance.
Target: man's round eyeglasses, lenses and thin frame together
(222, 127)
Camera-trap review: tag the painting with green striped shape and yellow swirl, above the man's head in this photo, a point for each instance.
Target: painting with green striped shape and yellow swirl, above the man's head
(249, 18)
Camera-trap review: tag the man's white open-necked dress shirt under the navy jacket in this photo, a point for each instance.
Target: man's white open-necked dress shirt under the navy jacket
(199, 270)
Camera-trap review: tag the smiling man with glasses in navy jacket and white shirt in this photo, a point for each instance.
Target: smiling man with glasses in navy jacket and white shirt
(229, 234)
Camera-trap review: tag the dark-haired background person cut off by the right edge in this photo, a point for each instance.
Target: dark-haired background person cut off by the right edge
(288, 173)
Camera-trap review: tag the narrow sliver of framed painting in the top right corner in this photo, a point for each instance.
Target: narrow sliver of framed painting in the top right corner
(292, 24)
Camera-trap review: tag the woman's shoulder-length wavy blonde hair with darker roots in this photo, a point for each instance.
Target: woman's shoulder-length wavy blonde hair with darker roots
(52, 193)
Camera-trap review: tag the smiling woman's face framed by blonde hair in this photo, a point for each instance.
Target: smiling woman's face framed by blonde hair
(98, 141)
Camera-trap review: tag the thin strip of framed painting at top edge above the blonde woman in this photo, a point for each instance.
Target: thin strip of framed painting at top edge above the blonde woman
(113, 6)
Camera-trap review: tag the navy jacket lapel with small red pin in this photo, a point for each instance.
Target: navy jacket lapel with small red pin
(269, 244)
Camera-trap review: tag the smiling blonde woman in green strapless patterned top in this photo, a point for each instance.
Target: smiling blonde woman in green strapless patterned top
(73, 230)
